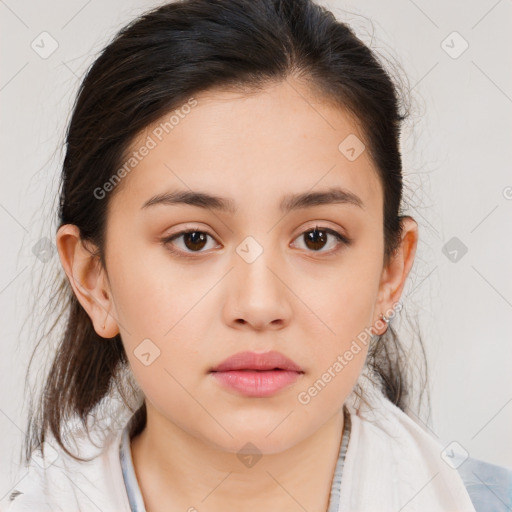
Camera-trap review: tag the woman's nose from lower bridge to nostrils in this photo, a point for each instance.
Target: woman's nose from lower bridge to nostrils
(258, 296)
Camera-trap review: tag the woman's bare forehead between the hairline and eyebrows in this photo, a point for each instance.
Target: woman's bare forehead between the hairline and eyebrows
(253, 146)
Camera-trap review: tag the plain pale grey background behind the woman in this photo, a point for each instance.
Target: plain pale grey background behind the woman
(457, 153)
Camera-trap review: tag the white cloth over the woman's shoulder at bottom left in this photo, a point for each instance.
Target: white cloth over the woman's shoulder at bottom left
(59, 482)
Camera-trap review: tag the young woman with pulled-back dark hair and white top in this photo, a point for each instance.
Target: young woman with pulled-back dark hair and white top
(234, 248)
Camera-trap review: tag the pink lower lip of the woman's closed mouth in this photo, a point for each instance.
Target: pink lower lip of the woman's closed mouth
(257, 383)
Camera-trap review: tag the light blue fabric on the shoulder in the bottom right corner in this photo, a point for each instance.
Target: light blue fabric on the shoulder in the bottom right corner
(489, 486)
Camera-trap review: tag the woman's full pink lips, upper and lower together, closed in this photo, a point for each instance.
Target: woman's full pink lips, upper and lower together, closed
(257, 374)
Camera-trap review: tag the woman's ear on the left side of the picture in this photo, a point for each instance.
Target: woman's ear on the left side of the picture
(87, 278)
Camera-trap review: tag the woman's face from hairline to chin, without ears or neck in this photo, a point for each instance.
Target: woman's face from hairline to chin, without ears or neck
(254, 276)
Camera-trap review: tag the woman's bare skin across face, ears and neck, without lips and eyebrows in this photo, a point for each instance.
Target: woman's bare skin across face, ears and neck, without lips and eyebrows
(198, 310)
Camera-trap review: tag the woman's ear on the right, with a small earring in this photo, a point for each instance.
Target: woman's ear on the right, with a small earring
(395, 273)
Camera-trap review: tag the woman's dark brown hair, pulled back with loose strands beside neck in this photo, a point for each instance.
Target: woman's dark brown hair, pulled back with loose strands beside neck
(154, 65)
